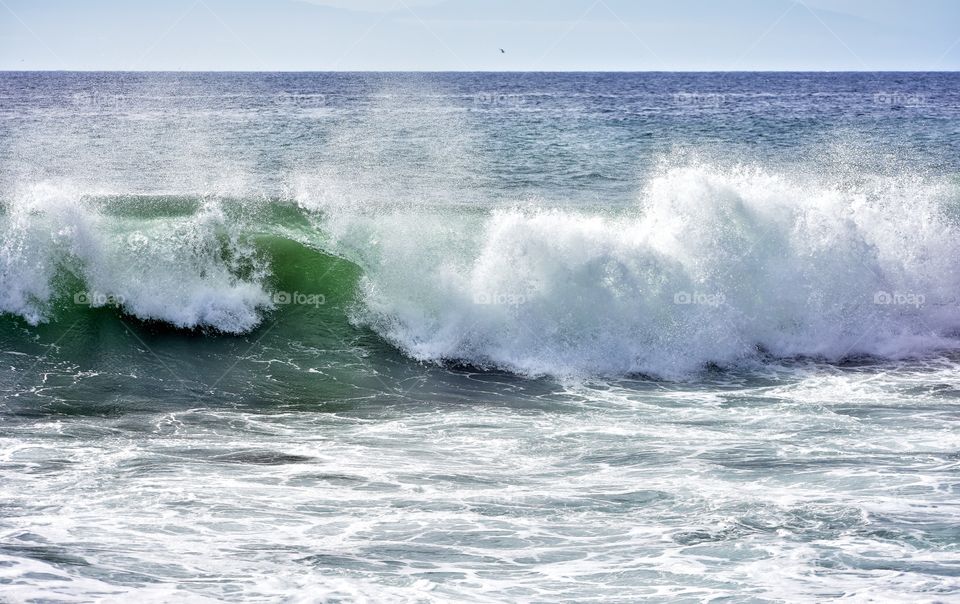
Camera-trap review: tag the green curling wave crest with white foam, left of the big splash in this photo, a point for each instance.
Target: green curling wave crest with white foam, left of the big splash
(192, 263)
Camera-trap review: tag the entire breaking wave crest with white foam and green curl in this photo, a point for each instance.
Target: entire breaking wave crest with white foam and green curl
(714, 265)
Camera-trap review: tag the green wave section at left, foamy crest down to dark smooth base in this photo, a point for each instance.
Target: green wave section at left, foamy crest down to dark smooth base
(300, 347)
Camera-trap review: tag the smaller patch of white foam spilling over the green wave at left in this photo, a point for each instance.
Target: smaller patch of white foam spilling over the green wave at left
(170, 269)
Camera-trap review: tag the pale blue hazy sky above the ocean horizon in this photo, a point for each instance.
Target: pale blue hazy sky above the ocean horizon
(467, 35)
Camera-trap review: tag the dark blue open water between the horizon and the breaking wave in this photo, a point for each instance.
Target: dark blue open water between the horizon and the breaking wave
(521, 134)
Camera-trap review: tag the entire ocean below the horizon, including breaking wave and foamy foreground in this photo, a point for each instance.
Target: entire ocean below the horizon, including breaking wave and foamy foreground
(479, 337)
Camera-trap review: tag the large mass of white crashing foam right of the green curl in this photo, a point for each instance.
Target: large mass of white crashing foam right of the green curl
(712, 267)
